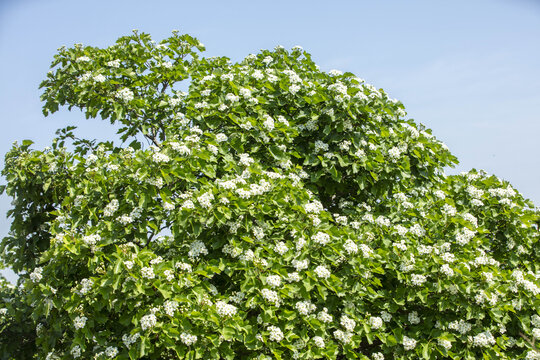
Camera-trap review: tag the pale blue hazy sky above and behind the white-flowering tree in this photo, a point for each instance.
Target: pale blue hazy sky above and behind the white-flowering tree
(469, 70)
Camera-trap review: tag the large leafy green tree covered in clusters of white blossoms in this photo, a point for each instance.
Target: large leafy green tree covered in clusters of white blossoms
(272, 211)
